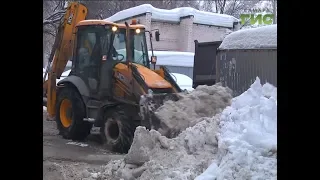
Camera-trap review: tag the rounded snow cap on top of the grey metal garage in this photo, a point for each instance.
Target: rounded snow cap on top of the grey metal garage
(253, 38)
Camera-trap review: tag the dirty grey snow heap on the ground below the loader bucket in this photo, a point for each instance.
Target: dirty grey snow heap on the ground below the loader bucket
(155, 157)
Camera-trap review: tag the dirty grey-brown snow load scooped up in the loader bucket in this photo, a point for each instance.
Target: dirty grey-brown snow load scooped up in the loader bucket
(205, 101)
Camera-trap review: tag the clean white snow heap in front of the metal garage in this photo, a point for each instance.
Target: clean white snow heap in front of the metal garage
(247, 137)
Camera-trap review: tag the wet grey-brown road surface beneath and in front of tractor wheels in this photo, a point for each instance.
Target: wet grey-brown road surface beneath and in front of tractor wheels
(65, 159)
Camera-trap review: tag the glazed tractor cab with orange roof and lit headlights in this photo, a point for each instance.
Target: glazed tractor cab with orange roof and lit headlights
(101, 45)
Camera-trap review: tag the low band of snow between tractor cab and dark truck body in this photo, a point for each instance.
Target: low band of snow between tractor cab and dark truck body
(173, 58)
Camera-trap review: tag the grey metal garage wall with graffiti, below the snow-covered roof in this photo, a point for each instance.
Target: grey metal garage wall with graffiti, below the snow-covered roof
(238, 69)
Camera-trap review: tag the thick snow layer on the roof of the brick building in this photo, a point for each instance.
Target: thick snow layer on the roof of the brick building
(174, 15)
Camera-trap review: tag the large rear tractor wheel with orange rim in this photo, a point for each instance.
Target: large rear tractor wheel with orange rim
(70, 112)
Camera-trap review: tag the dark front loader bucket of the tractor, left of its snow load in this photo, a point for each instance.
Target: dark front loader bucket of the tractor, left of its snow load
(148, 106)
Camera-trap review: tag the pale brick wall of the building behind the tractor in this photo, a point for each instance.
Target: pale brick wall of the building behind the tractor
(178, 36)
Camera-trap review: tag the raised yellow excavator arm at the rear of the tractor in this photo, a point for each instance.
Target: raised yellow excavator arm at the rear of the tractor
(62, 51)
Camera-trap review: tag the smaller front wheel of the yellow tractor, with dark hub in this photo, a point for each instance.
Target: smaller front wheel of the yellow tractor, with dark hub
(117, 131)
